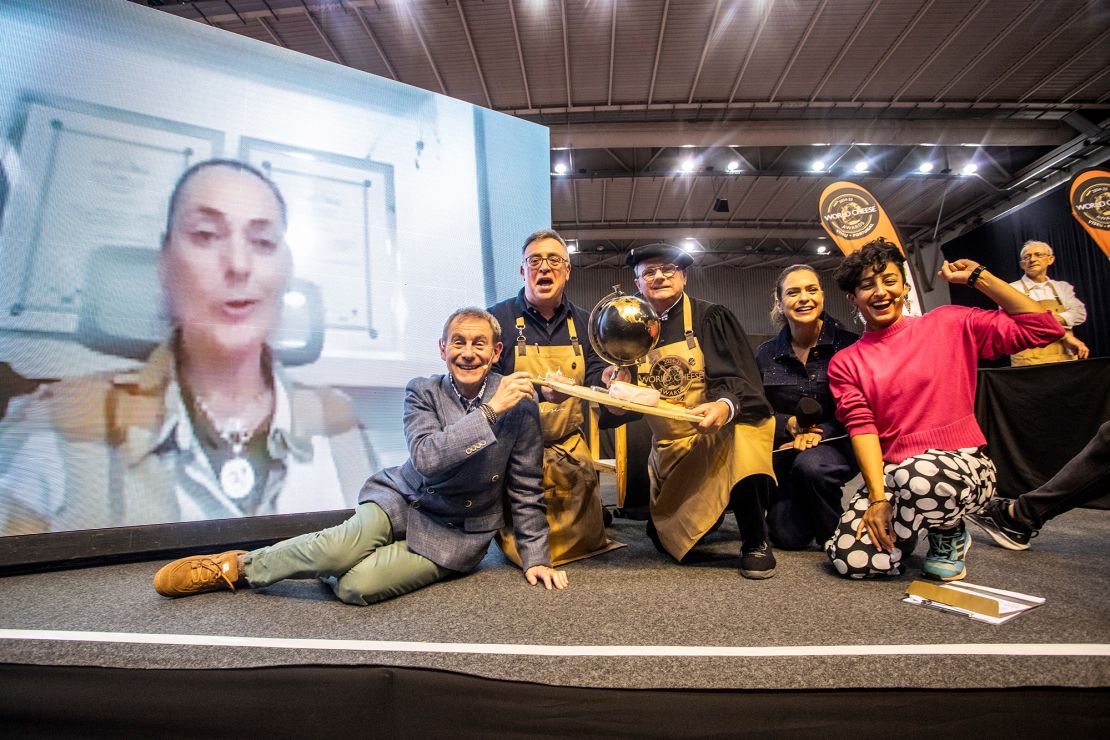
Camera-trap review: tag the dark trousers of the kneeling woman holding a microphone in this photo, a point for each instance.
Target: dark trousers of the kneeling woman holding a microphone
(808, 505)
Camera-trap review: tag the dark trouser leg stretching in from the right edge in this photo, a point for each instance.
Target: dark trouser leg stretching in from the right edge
(1084, 479)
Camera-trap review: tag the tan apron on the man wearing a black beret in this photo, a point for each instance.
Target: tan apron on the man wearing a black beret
(693, 474)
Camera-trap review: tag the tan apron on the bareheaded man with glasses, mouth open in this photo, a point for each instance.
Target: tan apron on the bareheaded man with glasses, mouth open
(571, 492)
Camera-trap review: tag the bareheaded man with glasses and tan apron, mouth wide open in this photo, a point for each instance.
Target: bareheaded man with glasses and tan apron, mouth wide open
(547, 334)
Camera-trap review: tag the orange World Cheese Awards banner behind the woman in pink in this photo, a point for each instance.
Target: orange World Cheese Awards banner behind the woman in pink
(853, 218)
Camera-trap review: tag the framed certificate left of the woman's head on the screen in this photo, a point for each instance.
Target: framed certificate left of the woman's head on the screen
(90, 177)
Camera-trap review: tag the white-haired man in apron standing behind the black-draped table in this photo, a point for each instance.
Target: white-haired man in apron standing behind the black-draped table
(1053, 296)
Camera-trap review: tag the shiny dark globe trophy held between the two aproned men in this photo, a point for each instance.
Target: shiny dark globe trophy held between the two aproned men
(623, 329)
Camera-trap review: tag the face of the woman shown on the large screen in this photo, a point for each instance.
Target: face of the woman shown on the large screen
(225, 262)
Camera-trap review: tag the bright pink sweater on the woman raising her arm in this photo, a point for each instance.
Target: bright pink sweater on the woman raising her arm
(913, 383)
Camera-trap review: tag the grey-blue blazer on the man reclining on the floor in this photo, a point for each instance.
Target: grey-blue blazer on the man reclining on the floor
(448, 501)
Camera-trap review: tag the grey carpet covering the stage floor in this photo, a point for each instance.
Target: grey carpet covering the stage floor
(631, 596)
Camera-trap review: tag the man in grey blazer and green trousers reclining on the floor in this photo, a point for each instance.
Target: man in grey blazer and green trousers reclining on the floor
(475, 445)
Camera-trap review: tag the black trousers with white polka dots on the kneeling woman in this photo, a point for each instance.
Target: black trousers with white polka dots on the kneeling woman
(934, 490)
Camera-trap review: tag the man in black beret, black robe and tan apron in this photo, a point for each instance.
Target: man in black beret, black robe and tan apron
(705, 363)
